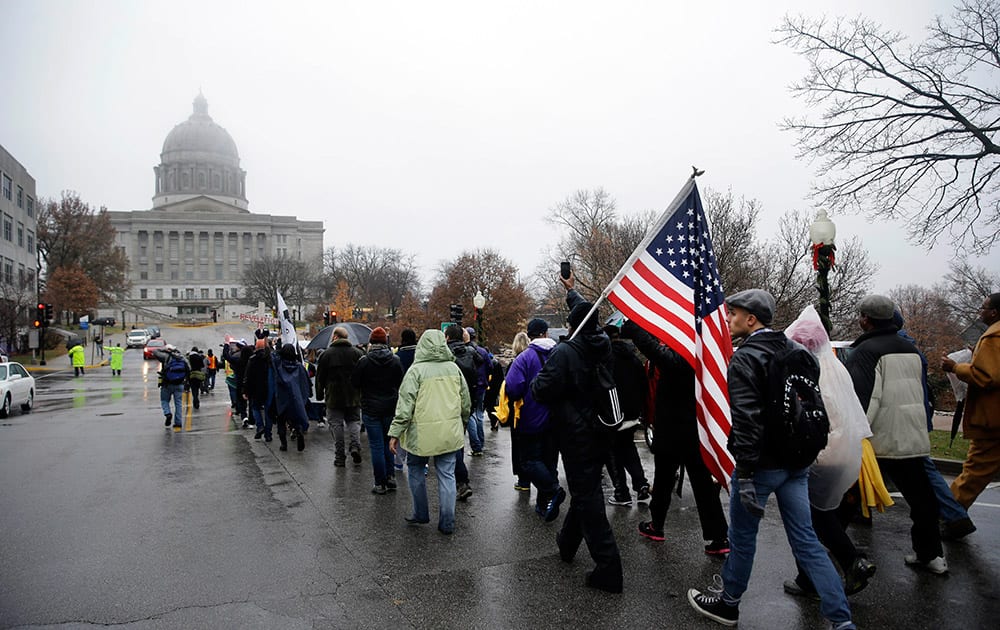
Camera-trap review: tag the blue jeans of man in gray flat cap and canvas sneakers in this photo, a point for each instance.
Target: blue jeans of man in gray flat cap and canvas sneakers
(790, 487)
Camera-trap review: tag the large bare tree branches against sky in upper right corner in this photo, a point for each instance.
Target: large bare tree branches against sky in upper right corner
(905, 131)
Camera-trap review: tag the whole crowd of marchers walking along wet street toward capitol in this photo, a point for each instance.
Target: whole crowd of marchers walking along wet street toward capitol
(815, 432)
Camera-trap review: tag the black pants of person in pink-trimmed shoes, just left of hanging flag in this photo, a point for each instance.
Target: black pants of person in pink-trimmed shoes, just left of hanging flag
(669, 453)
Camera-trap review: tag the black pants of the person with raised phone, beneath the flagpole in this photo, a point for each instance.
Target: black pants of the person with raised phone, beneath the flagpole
(586, 521)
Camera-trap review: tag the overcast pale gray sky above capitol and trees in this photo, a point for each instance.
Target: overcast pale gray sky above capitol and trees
(432, 127)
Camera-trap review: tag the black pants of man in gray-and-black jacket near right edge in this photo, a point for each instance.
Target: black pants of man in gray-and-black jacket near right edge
(911, 480)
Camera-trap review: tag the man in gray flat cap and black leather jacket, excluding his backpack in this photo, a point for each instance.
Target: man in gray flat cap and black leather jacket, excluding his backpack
(760, 471)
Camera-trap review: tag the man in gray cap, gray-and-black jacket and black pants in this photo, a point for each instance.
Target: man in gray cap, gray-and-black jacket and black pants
(888, 378)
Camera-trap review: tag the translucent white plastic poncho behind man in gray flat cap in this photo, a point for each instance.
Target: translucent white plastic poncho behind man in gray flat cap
(837, 466)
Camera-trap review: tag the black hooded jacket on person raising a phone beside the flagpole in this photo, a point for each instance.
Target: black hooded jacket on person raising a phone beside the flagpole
(567, 385)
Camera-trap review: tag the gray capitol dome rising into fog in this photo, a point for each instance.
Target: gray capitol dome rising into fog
(199, 159)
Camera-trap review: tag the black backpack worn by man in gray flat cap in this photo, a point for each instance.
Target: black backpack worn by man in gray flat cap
(796, 422)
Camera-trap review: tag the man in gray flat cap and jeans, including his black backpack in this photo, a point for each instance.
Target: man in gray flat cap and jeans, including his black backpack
(770, 460)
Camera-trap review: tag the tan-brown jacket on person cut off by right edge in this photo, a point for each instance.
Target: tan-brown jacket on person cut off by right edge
(982, 405)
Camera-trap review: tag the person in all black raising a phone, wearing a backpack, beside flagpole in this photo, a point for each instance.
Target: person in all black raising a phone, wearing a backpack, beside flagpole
(569, 385)
